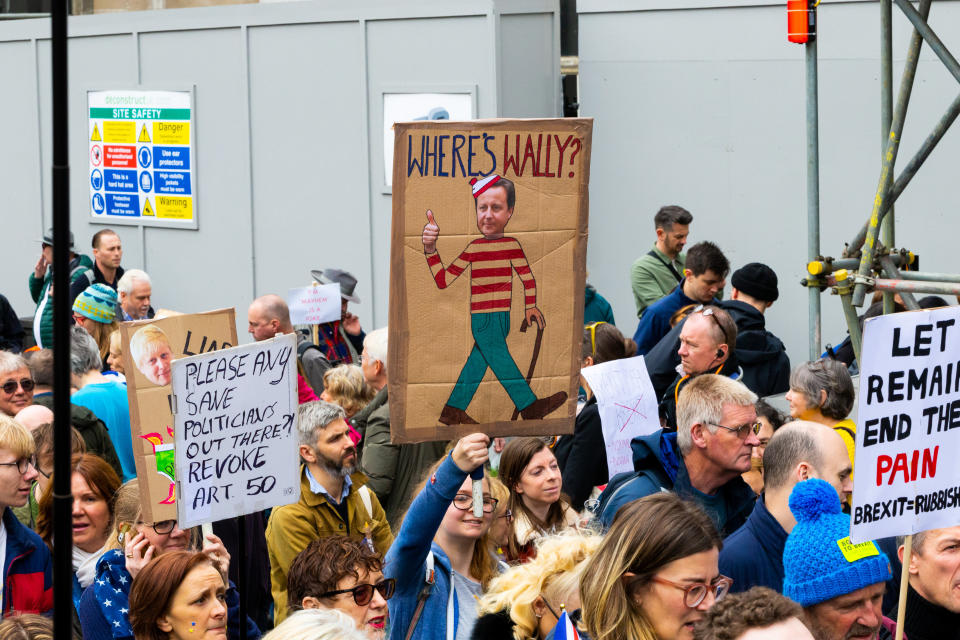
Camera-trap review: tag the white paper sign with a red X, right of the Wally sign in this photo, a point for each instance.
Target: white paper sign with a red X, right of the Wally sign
(627, 405)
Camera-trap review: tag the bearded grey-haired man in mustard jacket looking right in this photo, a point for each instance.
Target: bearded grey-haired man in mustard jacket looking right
(333, 498)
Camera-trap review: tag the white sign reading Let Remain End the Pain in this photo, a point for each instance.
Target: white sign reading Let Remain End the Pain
(906, 477)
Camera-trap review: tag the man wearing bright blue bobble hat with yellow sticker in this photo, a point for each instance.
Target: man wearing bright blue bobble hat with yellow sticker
(839, 584)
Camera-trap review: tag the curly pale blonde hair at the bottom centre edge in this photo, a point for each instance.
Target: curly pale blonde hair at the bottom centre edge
(557, 568)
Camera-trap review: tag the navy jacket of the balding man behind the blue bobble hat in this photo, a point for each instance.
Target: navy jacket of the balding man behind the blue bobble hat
(753, 554)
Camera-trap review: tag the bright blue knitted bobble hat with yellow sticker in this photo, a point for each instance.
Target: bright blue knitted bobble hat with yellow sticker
(819, 561)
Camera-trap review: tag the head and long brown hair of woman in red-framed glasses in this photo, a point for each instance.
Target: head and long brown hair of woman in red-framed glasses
(655, 573)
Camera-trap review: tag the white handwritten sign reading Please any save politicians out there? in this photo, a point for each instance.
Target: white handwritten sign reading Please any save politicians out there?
(235, 430)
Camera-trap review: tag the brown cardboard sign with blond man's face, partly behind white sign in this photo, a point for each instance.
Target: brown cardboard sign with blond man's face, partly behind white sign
(155, 343)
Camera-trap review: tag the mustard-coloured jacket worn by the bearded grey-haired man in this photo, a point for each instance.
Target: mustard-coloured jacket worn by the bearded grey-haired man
(294, 526)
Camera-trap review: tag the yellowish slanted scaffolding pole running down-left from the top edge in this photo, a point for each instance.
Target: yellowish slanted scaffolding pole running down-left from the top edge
(889, 158)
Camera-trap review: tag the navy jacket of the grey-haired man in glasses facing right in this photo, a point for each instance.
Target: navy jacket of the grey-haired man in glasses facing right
(658, 455)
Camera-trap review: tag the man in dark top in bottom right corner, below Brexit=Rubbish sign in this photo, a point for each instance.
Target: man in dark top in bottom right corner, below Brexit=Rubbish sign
(933, 599)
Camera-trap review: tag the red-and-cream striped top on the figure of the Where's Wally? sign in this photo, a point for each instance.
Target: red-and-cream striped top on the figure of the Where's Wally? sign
(491, 278)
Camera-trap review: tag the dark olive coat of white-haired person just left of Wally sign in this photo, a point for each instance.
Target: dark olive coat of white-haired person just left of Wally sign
(393, 470)
